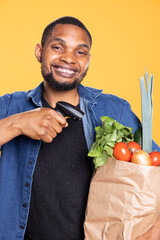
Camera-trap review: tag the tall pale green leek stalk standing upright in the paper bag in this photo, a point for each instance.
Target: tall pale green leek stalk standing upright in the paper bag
(147, 112)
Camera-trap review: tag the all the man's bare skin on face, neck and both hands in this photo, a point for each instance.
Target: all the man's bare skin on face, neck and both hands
(66, 54)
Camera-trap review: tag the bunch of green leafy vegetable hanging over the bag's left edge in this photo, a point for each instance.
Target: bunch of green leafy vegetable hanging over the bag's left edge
(107, 136)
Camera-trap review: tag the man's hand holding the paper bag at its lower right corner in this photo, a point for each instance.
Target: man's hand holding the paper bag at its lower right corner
(153, 233)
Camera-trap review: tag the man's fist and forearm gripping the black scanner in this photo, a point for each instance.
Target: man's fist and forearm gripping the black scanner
(40, 124)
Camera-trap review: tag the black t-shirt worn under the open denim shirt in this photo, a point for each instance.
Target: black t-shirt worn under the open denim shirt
(60, 187)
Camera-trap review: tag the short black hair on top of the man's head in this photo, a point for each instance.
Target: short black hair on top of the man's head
(63, 20)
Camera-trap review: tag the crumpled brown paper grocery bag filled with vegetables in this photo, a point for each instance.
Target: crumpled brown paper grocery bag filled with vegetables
(123, 202)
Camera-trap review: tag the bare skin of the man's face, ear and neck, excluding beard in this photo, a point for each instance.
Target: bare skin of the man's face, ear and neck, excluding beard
(66, 55)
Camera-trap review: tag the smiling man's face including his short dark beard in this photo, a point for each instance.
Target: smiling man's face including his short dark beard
(65, 57)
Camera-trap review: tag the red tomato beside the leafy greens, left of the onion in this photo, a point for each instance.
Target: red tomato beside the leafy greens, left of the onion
(121, 152)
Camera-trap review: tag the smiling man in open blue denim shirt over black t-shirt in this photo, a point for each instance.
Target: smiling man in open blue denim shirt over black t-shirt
(44, 168)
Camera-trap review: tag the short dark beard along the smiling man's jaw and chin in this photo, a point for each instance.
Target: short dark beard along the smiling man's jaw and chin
(60, 86)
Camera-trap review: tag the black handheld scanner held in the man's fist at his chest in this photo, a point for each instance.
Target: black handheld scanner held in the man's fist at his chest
(68, 110)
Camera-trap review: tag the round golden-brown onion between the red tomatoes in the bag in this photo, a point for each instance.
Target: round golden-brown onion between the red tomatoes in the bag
(141, 157)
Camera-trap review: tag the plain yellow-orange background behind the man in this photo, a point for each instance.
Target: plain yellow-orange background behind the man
(126, 39)
